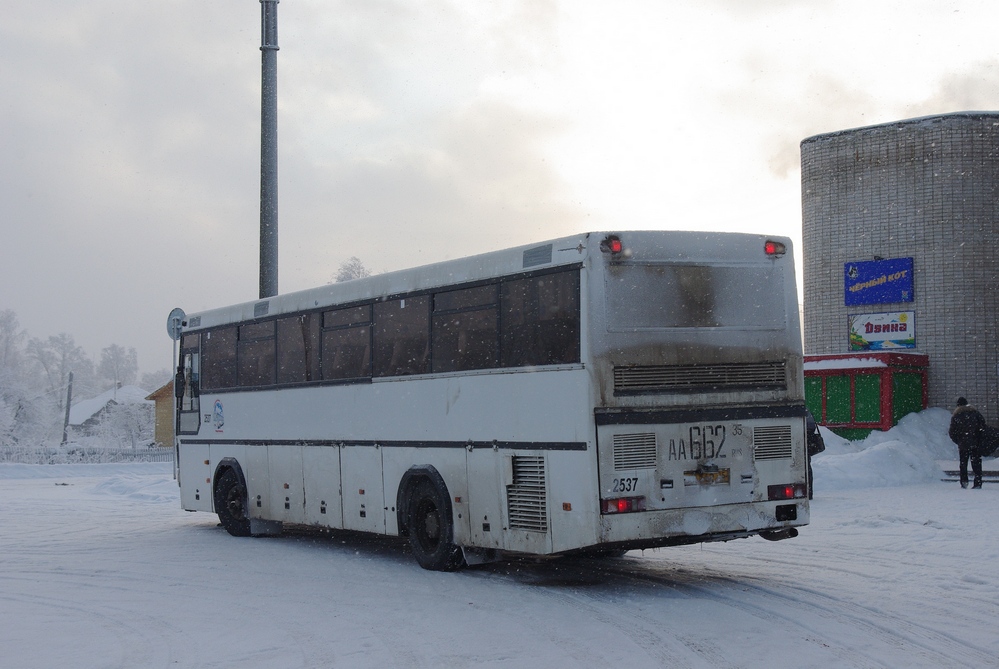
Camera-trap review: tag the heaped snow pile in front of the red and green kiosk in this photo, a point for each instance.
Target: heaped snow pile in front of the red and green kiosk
(906, 454)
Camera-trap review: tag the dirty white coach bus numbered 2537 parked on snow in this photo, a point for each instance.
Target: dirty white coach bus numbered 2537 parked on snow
(597, 393)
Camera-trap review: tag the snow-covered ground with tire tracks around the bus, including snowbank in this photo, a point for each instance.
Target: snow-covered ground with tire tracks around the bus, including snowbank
(99, 567)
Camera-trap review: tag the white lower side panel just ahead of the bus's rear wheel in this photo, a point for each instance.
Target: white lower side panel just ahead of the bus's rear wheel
(363, 497)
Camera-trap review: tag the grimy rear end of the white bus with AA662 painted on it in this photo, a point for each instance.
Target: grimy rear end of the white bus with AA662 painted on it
(695, 351)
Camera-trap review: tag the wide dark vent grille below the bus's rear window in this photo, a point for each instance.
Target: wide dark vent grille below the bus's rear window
(700, 378)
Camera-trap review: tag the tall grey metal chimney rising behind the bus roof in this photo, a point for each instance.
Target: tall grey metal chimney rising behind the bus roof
(268, 149)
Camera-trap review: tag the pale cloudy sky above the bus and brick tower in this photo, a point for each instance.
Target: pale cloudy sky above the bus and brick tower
(414, 131)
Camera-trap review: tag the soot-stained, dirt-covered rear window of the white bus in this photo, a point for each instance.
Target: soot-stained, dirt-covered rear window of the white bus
(659, 296)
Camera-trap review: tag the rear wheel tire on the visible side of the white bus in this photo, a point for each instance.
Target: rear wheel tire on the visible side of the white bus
(431, 528)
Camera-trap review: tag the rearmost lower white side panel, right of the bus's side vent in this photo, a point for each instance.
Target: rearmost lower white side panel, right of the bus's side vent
(573, 500)
